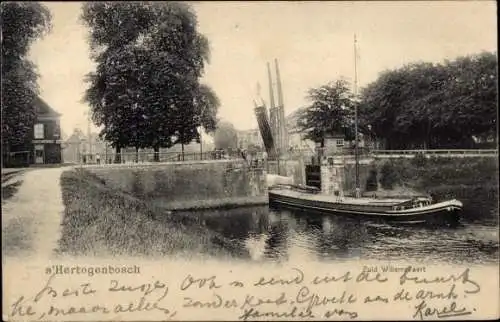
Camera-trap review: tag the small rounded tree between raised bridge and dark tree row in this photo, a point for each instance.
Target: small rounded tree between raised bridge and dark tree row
(331, 112)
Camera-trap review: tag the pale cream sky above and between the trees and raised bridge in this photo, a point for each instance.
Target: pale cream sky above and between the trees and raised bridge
(313, 42)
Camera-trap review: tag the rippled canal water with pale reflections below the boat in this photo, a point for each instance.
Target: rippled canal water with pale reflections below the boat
(283, 234)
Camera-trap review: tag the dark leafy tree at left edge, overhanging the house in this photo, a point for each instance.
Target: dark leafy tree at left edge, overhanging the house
(22, 24)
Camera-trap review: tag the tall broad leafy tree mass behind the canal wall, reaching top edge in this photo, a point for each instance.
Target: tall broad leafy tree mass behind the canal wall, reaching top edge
(146, 90)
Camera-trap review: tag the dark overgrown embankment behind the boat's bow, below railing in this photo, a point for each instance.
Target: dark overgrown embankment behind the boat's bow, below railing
(474, 181)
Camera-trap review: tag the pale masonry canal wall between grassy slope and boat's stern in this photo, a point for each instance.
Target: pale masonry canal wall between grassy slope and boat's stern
(188, 186)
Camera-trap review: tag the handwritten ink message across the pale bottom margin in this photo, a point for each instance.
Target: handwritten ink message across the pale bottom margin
(293, 294)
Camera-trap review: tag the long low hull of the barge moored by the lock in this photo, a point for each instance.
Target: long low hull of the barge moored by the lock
(448, 215)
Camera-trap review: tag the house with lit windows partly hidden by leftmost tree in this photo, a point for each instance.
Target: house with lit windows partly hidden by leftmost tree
(46, 135)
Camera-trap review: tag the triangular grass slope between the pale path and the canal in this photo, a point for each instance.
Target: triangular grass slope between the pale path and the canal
(102, 221)
